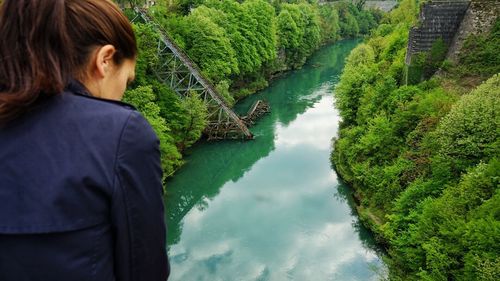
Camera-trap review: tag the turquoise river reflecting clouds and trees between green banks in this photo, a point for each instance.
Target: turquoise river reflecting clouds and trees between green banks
(272, 208)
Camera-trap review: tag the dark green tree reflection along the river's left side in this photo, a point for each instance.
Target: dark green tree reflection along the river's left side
(211, 165)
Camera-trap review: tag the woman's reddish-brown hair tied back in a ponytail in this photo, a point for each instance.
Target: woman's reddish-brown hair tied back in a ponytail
(45, 43)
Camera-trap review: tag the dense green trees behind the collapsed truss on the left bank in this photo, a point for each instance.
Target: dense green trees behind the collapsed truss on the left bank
(240, 45)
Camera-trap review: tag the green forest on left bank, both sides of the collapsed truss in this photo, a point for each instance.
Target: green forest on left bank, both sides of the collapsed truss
(239, 47)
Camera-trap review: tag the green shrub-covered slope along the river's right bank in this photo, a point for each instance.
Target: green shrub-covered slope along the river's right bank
(424, 157)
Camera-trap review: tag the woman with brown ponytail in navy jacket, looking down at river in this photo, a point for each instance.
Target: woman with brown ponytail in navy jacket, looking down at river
(80, 176)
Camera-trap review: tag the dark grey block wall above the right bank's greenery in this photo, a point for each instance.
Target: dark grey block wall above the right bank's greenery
(438, 19)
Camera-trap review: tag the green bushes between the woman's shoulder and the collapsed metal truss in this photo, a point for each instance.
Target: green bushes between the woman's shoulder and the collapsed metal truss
(177, 122)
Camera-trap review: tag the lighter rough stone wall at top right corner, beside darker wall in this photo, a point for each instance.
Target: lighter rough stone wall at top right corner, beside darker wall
(478, 19)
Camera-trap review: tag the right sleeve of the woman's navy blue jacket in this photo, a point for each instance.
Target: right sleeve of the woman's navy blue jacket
(137, 213)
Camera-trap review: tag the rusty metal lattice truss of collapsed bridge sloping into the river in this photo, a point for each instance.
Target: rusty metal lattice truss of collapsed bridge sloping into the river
(180, 73)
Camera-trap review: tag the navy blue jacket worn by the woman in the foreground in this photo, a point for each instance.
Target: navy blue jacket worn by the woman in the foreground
(81, 193)
